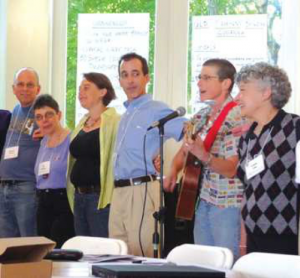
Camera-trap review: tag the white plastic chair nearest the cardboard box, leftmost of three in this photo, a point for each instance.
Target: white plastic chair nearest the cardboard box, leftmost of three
(97, 245)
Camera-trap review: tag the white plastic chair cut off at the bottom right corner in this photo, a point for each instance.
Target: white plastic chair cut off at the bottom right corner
(266, 265)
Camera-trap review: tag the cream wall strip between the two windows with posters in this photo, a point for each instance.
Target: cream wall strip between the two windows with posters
(170, 63)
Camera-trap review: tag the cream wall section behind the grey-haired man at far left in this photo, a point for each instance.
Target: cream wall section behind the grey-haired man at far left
(27, 43)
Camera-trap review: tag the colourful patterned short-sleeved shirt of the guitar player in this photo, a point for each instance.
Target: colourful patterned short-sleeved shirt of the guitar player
(216, 188)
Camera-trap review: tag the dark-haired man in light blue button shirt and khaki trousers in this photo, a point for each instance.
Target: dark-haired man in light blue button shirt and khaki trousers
(136, 193)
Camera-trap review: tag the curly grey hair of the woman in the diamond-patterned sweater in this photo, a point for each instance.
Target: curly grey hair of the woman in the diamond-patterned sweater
(268, 76)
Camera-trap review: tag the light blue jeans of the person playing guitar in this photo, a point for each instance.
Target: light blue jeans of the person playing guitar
(218, 227)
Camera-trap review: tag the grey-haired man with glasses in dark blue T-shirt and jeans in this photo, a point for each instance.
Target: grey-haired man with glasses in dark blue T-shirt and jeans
(17, 185)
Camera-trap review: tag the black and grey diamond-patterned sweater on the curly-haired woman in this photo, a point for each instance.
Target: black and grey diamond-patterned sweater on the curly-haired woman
(270, 204)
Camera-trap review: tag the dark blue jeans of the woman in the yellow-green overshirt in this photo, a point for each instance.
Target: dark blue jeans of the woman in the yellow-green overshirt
(88, 220)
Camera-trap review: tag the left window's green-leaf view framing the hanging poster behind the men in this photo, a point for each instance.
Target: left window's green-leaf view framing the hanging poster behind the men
(92, 7)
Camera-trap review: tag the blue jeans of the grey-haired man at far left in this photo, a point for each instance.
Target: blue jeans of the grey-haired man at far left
(18, 204)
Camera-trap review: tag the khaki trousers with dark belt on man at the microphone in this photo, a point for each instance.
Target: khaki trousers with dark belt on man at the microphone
(126, 212)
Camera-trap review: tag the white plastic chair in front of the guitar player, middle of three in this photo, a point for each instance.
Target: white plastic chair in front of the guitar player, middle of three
(211, 256)
